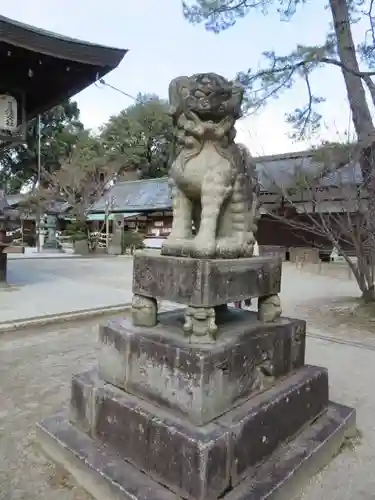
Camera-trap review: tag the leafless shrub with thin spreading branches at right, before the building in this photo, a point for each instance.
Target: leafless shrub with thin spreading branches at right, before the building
(334, 212)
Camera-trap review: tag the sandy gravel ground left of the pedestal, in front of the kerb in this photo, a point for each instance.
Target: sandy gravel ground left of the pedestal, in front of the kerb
(35, 373)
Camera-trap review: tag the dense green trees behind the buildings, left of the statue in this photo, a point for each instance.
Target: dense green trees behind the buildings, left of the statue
(140, 139)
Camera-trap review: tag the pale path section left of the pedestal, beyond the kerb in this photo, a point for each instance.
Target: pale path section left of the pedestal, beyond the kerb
(55, 286)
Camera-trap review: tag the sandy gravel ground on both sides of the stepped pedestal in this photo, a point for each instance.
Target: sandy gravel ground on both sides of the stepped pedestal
(36, 369)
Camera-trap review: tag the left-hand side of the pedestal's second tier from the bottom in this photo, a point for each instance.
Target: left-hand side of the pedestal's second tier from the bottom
(194, 462)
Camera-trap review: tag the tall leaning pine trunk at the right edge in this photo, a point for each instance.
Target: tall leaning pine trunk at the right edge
(362, 120)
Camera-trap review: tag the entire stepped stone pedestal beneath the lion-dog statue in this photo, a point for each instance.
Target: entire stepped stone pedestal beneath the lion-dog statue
(167, 415)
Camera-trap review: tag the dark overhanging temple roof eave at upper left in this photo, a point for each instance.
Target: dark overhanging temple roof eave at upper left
(39, 70)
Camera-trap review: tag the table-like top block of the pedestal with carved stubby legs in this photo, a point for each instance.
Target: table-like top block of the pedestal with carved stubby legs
(205, 285)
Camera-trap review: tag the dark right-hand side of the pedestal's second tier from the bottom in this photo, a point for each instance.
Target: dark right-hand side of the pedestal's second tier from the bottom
(261, 424)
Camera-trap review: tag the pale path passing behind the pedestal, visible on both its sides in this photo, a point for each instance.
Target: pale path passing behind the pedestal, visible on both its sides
(55, 286)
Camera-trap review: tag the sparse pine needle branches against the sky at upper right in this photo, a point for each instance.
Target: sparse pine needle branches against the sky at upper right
(281, 72)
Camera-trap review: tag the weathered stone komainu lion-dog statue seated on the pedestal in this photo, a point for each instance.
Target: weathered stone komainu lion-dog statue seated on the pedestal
(212, 178)
